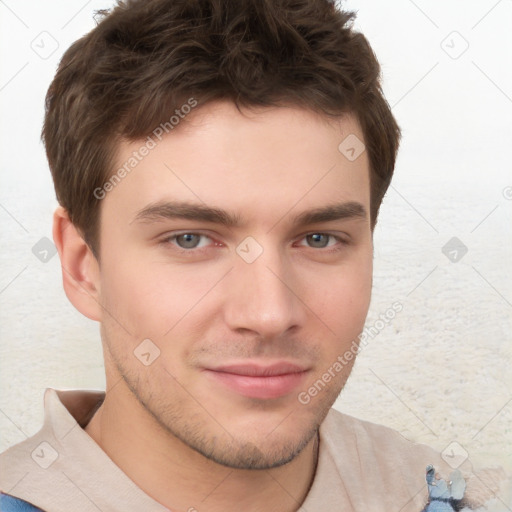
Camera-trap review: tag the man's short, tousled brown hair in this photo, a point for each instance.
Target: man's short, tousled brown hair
(145, 58)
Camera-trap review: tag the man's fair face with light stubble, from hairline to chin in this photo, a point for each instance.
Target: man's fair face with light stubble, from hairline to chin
(249, 314)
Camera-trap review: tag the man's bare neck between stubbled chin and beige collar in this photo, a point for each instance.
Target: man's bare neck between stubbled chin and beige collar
(180, 478)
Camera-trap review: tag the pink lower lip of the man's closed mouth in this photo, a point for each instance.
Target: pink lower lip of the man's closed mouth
(273, 386)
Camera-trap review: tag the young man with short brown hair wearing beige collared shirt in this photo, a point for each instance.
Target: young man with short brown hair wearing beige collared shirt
(220, 167)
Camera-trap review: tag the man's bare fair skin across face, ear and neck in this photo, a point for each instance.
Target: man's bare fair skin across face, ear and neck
(177, 431)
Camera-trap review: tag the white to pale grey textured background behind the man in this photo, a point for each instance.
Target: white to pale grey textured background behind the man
(440, 373)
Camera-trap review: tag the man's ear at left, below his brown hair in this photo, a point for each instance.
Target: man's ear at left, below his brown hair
(80, 269)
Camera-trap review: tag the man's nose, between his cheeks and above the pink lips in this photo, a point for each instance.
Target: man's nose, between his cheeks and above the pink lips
(260, 296)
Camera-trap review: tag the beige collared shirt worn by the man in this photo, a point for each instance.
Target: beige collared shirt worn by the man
(361, 467)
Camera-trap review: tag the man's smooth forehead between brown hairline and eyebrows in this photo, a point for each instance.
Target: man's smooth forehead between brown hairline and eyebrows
(257, 165)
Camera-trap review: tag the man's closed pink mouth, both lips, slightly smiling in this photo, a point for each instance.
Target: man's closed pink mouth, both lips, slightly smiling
(259, 381)
